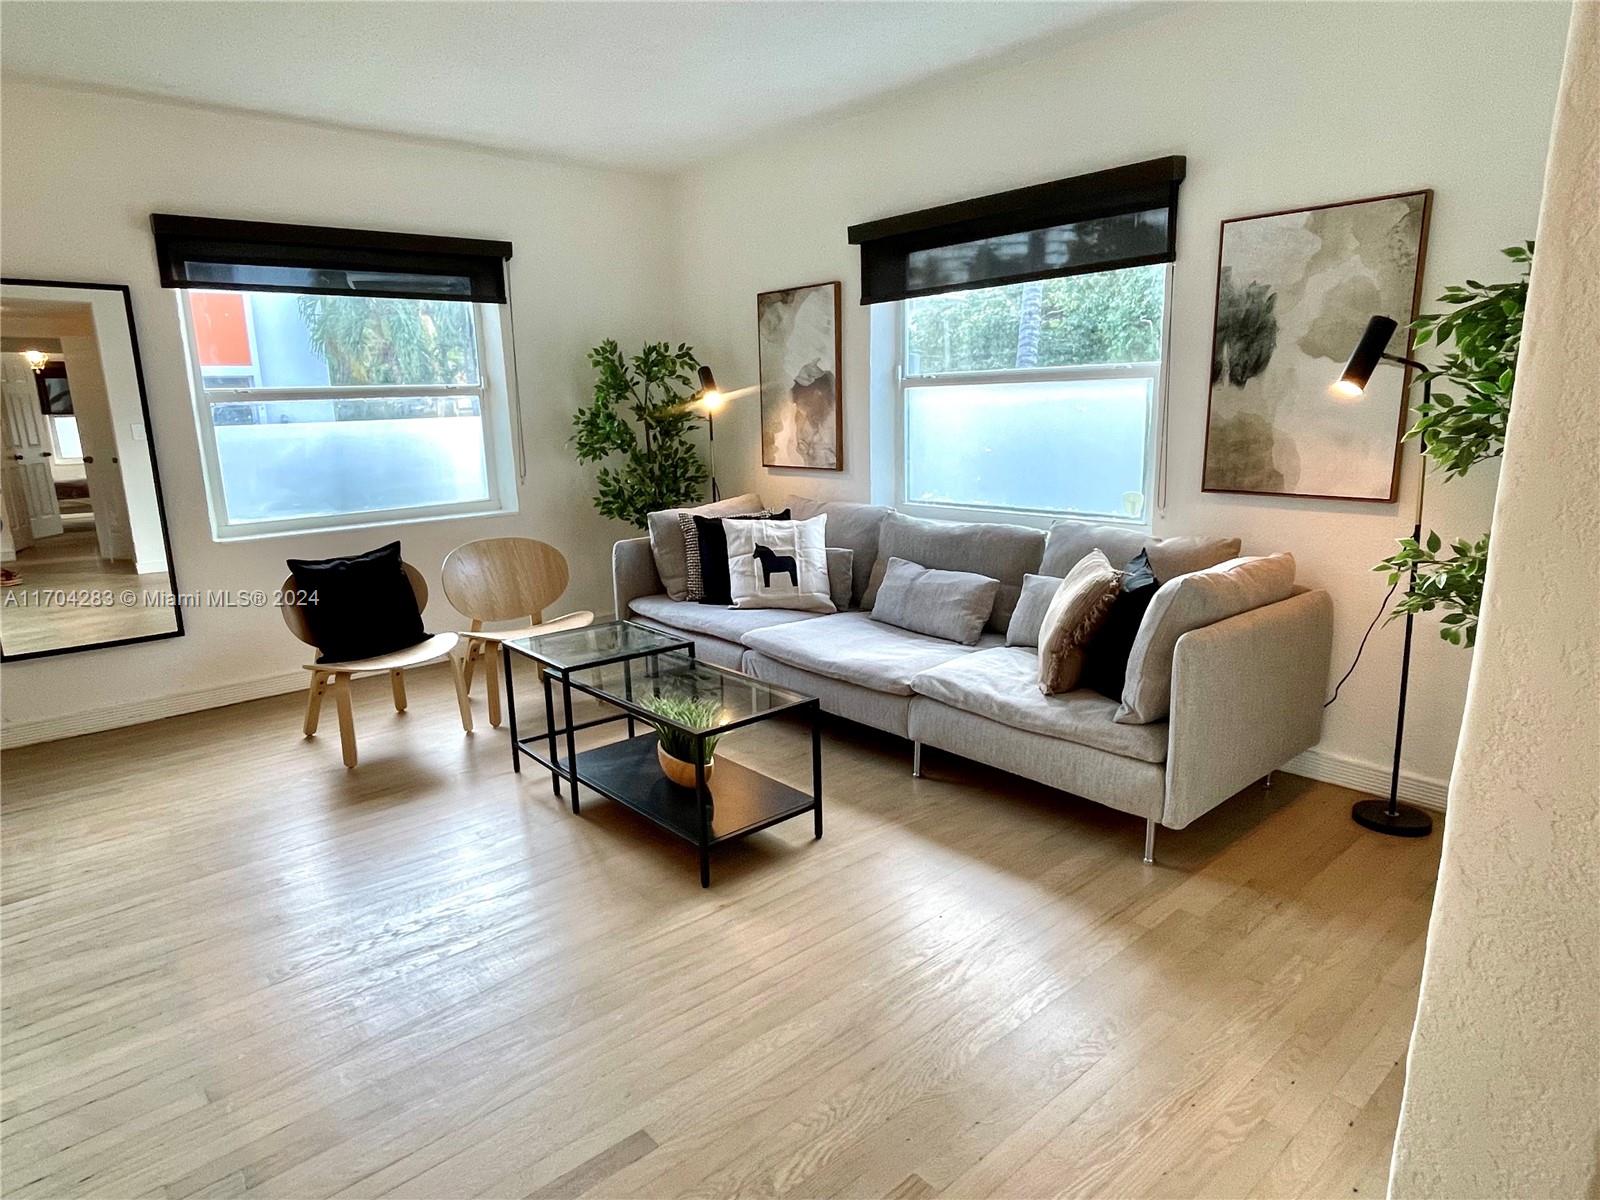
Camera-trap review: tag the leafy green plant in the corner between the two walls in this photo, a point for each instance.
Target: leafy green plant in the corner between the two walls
(638, 426)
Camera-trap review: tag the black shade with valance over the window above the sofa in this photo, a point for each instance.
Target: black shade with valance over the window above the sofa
(1121, 218)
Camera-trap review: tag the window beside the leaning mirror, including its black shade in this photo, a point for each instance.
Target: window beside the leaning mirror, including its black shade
(340, 386)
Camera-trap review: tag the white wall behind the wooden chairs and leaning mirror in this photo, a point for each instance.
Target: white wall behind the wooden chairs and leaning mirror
(82, 175)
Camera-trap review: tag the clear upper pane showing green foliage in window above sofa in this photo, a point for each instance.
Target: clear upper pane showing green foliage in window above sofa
(1105, 318)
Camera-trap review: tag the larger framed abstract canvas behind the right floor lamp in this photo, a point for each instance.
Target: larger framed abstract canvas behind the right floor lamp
(1294, 295)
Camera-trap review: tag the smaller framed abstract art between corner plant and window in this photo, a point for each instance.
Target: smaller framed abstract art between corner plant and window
(802, 410)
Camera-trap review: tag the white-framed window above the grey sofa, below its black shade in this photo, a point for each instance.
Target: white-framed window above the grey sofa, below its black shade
(1034, 398)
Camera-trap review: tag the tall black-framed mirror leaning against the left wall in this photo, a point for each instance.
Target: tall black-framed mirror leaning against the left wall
(84, 545)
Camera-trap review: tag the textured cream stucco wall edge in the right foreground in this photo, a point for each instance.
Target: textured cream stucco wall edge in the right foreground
(1503, 1084)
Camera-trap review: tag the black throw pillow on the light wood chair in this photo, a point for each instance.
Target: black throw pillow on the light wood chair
(364, 604)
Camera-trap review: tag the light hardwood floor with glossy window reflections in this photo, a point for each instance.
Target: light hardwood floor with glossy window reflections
(233, 967)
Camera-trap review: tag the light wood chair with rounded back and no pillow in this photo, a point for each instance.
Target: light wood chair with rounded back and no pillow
(506, 580)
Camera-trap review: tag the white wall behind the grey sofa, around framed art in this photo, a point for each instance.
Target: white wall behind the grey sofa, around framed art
(1276, 106)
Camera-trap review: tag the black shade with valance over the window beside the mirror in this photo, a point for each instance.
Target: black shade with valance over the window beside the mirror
(199, 252)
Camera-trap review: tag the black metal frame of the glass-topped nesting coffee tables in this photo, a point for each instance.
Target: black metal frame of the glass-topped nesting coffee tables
(633, 713)
